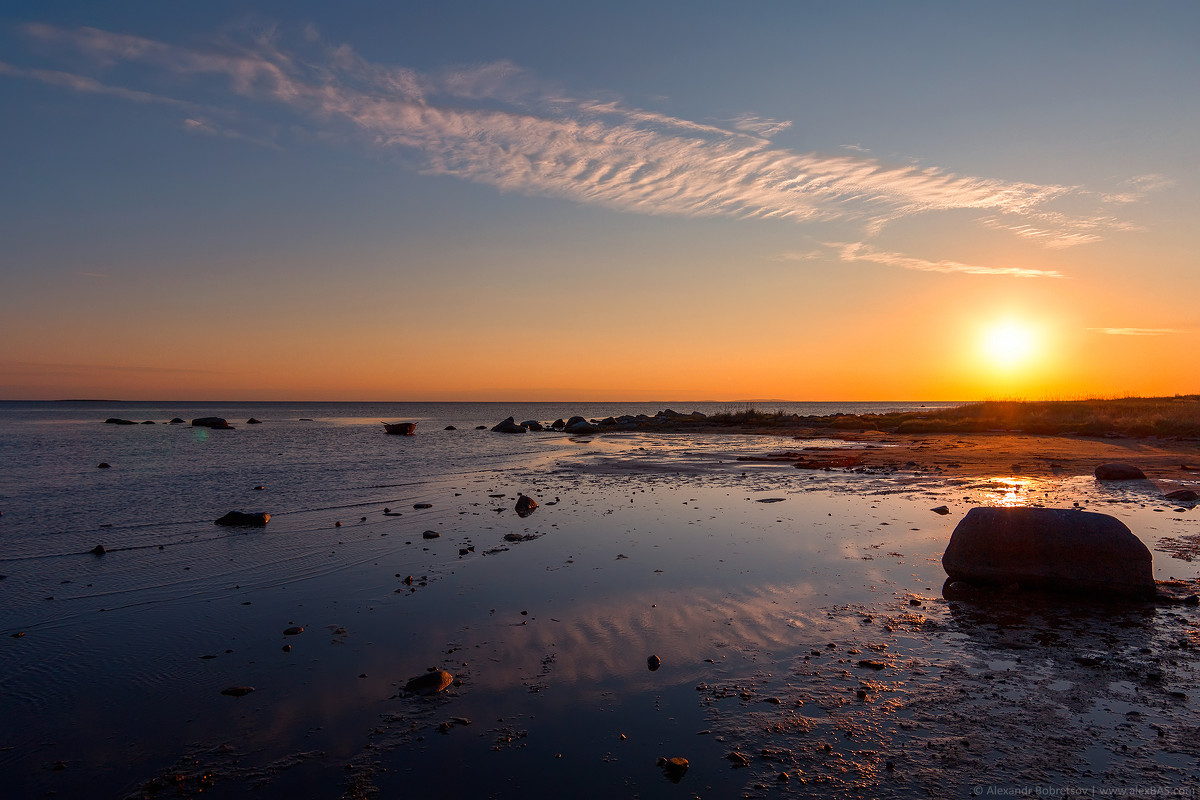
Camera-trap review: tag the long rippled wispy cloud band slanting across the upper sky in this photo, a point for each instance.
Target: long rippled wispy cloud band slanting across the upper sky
(497, 124)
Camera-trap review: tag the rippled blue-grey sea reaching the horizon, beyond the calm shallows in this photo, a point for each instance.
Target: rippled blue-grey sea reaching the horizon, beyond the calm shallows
(170, 482)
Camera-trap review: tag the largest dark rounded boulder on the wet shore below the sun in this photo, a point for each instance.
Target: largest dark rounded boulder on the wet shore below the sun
(1063, 550)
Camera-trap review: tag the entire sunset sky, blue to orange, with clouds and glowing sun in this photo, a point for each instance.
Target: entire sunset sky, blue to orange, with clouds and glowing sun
(599, 202)
